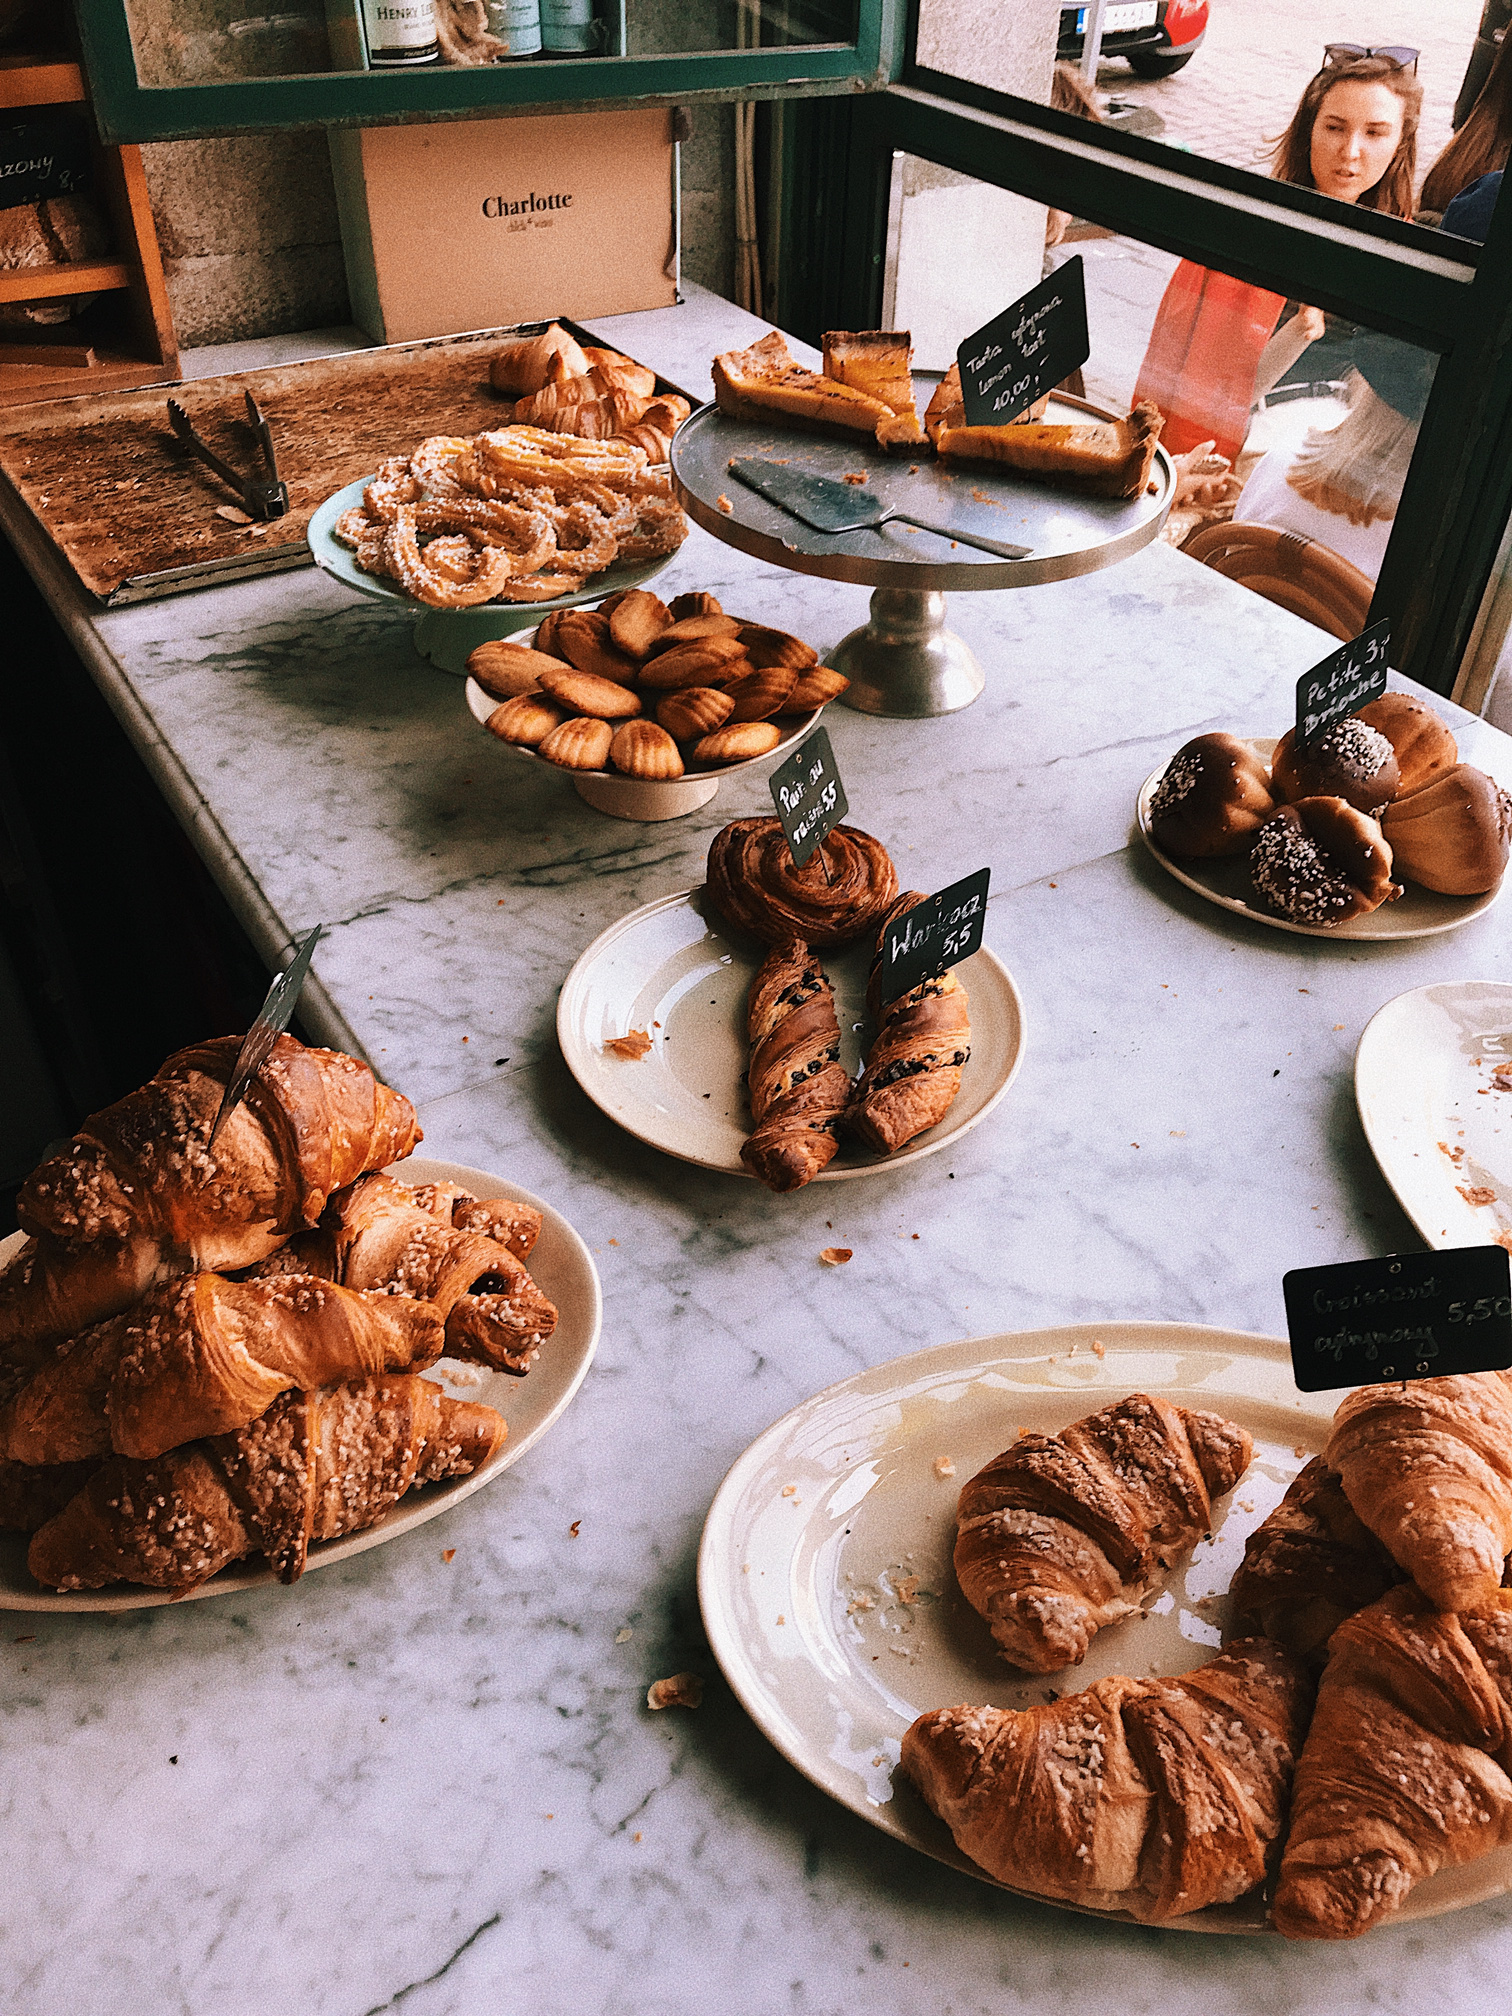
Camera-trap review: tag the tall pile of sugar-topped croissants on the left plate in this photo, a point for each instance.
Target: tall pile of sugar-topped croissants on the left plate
(213, 1352)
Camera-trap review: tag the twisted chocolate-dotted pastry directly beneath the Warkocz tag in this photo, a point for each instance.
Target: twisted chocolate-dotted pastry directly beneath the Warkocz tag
(914, 1067)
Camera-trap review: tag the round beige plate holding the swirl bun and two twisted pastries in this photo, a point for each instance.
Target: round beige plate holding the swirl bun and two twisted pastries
(676, 975)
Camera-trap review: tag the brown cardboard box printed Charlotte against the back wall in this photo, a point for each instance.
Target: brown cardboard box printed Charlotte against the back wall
(481, 223)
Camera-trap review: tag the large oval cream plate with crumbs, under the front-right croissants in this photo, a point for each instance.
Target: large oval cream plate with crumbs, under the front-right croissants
(838, 1505)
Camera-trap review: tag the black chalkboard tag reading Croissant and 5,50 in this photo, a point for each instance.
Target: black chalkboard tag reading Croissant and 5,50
(1404, 1317)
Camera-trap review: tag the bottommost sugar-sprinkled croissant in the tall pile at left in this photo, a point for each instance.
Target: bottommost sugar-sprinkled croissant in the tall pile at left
(313, 1467)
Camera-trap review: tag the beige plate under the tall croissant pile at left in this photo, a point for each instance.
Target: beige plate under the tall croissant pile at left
(563, 1267)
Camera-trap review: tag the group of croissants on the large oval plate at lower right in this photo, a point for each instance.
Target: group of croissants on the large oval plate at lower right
(1352, 1739)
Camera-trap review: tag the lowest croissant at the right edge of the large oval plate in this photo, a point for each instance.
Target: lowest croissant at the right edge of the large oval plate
(1408, 1765)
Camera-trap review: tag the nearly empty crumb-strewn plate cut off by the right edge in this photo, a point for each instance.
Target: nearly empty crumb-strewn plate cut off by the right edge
(1432, 1112)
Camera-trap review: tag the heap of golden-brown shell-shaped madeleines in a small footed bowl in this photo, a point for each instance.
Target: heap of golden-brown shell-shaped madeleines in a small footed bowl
(676, 690)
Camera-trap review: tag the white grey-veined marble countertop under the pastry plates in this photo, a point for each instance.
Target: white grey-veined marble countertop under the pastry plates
(432, 1785)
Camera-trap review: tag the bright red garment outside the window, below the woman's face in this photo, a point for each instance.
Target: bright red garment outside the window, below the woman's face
(1203, 358)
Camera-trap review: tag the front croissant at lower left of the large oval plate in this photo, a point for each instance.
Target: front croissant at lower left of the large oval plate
(1152, 1797)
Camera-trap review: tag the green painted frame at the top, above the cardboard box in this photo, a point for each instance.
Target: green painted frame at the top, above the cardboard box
(134, 112)
